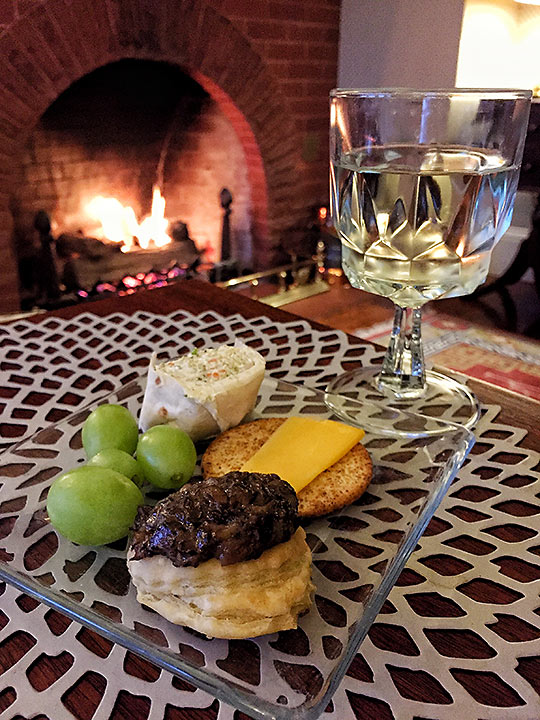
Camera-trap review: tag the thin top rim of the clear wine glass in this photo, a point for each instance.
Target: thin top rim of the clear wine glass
(487, 93)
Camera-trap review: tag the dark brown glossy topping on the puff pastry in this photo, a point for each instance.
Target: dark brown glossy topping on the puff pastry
(232, 518)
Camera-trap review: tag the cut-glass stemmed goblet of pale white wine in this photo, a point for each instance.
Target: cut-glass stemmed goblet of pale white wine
(422, 188)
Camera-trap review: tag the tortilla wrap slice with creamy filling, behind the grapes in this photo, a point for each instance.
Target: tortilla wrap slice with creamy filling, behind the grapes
(204, 392)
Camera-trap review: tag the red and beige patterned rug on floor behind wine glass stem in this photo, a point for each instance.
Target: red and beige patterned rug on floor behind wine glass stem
(509, 361)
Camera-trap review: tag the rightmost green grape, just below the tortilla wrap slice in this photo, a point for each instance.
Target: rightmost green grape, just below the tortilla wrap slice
(167, 456)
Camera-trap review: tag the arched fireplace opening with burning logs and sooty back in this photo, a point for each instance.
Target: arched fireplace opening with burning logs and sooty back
(134, 172)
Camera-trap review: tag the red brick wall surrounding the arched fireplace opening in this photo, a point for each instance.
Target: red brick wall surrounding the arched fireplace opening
(270, 62)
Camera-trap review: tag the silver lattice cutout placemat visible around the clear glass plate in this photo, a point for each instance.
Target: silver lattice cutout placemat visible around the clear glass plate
(492, 513)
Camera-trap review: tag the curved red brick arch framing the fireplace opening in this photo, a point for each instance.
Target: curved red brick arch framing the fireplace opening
(45, 50)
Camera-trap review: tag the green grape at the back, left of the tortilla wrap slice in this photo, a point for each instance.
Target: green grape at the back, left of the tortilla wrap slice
(109, 426)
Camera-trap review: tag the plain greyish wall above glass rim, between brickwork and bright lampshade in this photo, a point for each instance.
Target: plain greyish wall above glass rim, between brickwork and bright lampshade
(399, 43)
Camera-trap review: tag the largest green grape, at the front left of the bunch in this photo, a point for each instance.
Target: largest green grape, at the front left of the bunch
(93, 505)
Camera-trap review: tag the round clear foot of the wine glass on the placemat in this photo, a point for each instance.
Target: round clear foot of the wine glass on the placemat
(444, 398)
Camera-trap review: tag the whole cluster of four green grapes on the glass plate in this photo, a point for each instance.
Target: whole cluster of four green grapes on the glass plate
(96, 503)
